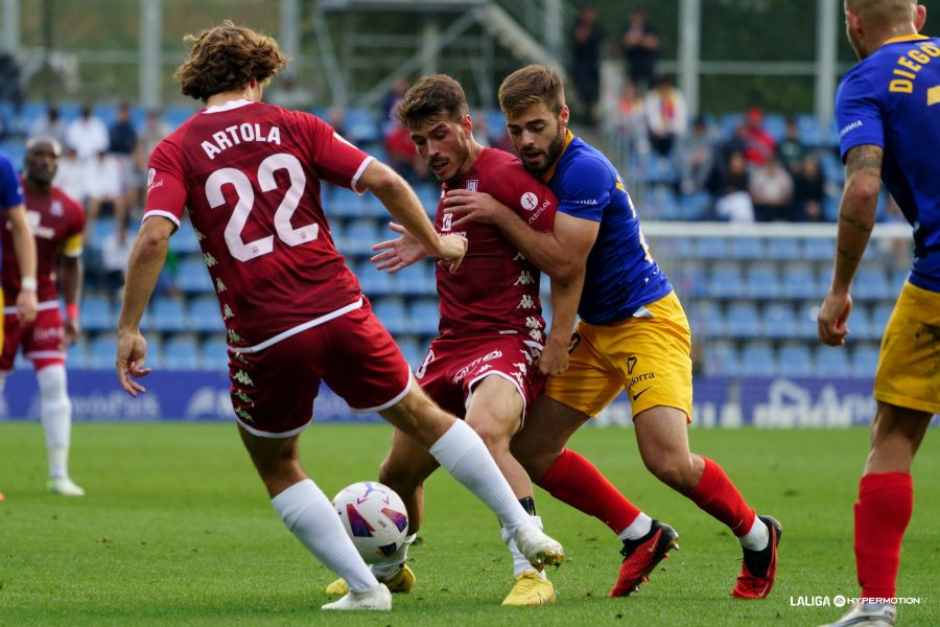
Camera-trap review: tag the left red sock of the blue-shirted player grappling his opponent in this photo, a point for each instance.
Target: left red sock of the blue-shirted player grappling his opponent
(577, 482)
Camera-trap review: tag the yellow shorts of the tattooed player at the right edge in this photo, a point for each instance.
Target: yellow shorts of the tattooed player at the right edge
(909, 364)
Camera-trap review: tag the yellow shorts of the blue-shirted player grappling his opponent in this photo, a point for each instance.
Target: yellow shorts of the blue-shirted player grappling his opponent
(649, 355)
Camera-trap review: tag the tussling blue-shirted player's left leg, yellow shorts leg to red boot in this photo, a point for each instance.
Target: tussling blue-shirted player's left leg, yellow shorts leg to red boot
(571, 399)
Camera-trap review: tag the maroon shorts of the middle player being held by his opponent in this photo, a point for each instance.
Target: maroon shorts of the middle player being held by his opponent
(453, 366)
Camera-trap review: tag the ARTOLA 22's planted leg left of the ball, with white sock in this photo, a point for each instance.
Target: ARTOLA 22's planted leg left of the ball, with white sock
(309, 514)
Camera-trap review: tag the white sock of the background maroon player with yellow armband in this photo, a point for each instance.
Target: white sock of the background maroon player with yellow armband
(55, 412)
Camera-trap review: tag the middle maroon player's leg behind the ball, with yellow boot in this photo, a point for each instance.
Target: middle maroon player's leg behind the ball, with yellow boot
(404, 470)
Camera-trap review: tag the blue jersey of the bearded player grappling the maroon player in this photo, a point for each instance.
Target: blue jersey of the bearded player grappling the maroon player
(621, 274)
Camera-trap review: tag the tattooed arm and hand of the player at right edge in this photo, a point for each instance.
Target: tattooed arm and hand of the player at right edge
(856, 221)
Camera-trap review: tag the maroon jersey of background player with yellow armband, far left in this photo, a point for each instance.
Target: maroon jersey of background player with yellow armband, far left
(57, 223)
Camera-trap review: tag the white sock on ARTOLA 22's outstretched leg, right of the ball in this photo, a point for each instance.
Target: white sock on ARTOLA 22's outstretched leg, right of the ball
(463, 454)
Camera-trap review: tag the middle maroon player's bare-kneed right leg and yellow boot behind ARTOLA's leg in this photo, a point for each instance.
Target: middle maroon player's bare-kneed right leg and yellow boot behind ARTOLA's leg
(495, 410)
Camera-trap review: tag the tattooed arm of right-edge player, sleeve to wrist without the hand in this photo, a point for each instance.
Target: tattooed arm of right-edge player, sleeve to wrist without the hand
(857, 212)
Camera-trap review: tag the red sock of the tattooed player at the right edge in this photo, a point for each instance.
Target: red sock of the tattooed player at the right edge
(885, 503)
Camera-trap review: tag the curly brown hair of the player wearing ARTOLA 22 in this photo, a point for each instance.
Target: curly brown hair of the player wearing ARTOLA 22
(225, 58)
